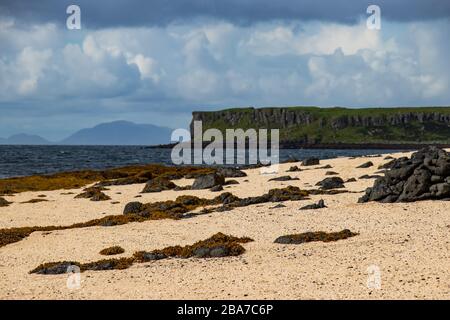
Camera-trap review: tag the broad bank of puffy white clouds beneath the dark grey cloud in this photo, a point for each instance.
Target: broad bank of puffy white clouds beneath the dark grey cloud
(181, 67)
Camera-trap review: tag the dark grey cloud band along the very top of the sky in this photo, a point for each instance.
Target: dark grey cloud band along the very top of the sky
(105, 13)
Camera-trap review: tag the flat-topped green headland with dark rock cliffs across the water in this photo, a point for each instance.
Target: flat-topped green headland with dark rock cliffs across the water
(338, 127)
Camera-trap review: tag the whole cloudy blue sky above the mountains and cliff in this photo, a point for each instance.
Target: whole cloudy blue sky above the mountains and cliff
(157, 61)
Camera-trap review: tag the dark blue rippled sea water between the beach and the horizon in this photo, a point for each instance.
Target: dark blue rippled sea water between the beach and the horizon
(29, 160)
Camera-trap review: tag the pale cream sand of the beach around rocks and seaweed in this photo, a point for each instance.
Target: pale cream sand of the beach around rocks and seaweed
(408, 242)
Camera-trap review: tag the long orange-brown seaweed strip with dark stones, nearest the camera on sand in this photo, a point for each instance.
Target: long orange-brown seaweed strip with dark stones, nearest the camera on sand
(219, 245)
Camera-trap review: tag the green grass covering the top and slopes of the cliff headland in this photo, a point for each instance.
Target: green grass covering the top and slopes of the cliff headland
(320, 130)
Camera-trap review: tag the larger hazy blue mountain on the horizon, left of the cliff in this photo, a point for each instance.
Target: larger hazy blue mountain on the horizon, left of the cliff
(120, 133)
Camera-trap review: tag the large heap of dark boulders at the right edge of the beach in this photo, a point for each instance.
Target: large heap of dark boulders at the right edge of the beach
(425, 176)
